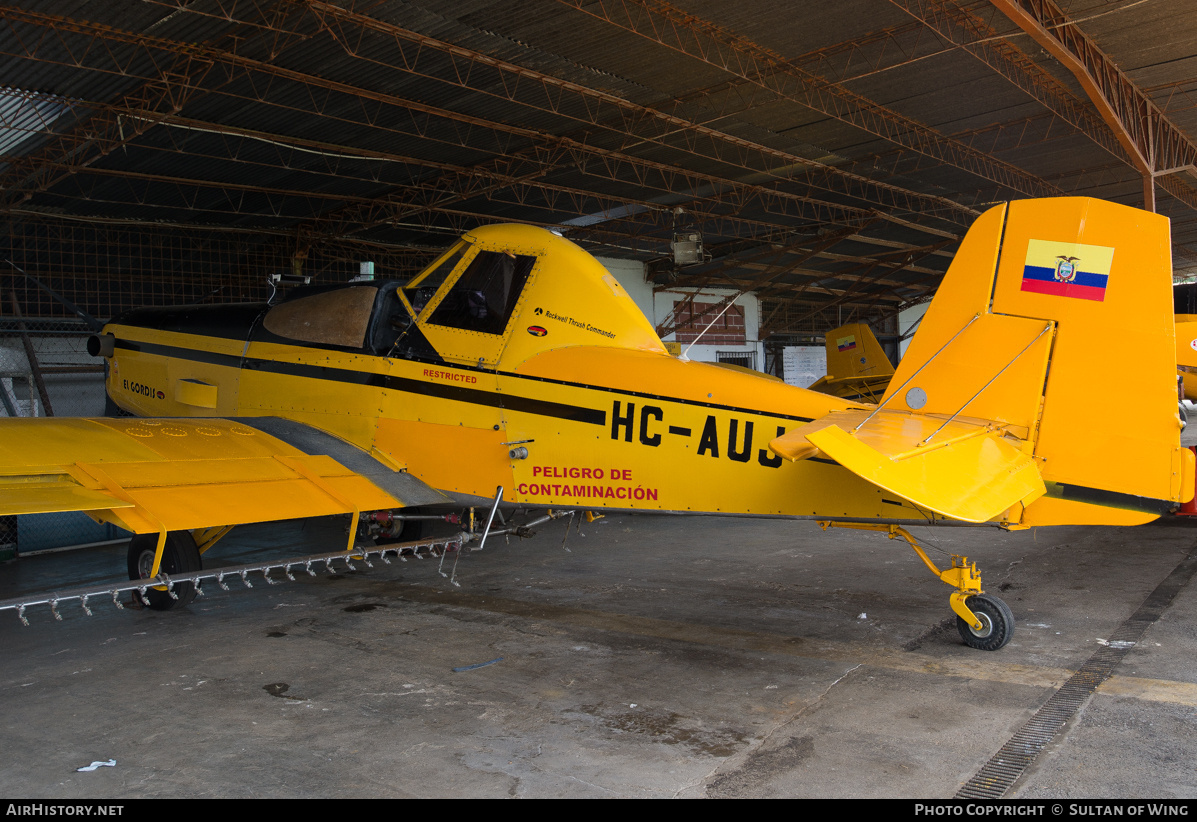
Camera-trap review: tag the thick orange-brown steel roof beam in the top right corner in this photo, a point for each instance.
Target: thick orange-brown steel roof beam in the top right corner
(1156, 145)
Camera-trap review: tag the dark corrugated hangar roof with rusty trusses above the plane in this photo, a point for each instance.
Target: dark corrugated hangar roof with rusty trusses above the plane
(830, 155)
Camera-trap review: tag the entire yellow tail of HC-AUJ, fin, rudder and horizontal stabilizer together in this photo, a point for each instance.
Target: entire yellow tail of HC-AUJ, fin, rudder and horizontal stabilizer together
(989, 417)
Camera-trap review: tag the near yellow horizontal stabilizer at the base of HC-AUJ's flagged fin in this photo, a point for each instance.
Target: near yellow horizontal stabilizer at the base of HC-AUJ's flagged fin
(964, 470)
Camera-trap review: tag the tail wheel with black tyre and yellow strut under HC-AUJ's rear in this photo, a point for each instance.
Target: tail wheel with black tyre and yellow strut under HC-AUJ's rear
(983, 620)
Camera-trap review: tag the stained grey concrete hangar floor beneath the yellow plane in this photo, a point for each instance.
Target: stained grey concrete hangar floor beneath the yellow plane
(648, 657)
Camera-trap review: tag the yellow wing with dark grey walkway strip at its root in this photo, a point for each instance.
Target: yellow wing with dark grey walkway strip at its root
(150, 476)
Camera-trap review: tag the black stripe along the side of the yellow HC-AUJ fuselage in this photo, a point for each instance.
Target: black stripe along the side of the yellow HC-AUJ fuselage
(508, 401)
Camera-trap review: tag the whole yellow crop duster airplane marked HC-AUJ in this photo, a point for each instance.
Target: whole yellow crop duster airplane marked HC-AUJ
(517, 362)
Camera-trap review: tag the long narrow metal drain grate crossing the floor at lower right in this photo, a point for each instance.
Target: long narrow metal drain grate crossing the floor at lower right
(1004, 770)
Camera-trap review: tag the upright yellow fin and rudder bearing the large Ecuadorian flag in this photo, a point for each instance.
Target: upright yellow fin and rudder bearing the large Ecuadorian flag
(1043, 299)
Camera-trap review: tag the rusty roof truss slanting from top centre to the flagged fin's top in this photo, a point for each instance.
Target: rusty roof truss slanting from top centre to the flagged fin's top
(670, 27)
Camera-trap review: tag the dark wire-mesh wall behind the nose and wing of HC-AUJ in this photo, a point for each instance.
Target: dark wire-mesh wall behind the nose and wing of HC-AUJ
(52, 271)
